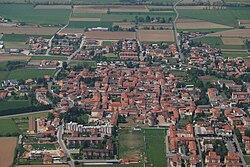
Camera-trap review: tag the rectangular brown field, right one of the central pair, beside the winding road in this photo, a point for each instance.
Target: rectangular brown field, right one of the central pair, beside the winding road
(156, 35)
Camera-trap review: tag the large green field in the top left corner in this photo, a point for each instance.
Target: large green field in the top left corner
(27, 14)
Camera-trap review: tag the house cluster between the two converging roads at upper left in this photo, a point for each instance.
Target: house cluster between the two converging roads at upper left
(65, 44)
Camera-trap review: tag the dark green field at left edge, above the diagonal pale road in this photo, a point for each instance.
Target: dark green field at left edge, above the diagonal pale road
(13, 104)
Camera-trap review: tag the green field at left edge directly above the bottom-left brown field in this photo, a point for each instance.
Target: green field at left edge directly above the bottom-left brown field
(7, 126)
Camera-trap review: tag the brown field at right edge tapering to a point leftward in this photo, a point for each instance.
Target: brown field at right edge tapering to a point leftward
(243, 33)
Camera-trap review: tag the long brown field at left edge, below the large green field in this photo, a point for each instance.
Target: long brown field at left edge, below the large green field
(29, 30)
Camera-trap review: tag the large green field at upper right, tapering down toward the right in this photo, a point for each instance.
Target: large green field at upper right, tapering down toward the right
(228, 16)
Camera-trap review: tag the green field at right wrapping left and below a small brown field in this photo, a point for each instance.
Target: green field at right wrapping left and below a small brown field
(216, 42)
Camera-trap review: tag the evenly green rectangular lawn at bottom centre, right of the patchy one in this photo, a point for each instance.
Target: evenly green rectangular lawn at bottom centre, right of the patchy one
(156, 147)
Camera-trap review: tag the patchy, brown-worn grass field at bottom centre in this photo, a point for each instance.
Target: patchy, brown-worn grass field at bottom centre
(131, 144)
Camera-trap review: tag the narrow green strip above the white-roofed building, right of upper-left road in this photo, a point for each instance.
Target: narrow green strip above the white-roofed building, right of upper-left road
(89, 24)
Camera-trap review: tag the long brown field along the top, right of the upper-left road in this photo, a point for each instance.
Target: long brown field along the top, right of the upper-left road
(104, 8)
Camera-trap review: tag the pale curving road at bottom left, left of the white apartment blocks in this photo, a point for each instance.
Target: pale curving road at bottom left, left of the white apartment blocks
(62, 145)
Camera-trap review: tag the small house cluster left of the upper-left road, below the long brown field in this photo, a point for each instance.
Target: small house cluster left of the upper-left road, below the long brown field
(38, 45)
